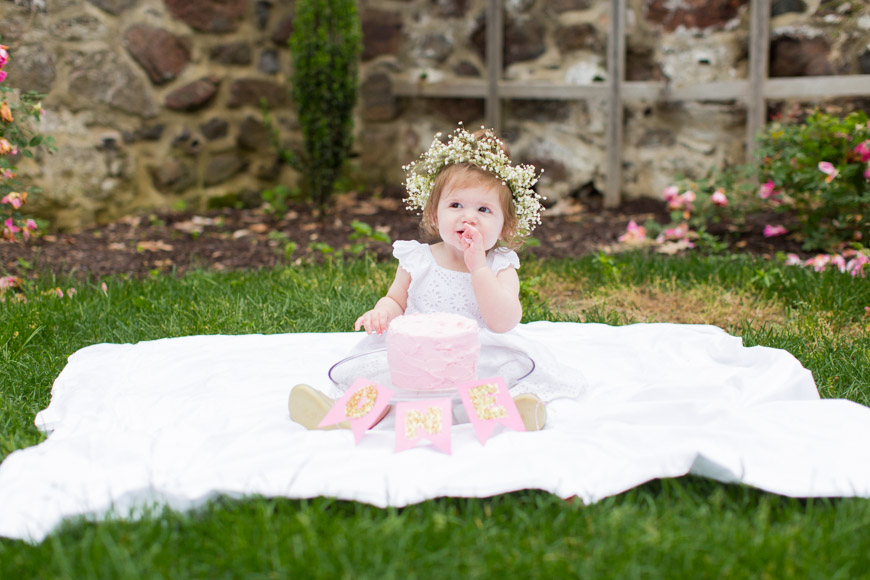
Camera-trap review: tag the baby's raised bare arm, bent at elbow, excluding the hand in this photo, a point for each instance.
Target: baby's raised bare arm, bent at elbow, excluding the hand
(498, 296)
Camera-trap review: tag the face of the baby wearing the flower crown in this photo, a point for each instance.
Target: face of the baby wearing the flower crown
(470, 203)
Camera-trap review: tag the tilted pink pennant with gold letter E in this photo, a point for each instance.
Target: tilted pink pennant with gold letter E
(489, 403)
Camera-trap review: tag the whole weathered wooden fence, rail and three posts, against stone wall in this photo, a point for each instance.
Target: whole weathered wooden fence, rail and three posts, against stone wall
(754, 91)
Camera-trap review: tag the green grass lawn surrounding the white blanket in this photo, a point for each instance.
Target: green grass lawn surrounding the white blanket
(677, 528)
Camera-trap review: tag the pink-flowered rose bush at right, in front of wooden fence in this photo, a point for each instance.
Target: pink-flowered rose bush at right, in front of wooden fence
(813, 172)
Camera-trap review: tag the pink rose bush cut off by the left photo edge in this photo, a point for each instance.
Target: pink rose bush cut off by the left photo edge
(18, 113)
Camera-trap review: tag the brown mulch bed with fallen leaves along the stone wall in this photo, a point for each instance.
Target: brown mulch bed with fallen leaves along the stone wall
(230, 239)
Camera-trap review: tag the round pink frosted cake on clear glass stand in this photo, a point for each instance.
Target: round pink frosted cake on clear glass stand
(432, 351)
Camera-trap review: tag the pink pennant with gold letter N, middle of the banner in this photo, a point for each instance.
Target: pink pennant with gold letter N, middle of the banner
(420, 420)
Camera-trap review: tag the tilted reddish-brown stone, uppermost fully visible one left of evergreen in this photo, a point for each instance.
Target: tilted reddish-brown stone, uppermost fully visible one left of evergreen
(162, 54)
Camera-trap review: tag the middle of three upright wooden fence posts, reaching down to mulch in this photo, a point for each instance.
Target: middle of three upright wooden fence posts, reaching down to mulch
(616, 74)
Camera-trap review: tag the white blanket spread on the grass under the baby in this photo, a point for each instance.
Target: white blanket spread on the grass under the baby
(179, 421)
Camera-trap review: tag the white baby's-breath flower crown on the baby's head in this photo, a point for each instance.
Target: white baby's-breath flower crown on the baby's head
(485, 152)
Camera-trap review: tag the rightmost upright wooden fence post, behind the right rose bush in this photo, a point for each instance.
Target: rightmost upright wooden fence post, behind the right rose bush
(759, 55)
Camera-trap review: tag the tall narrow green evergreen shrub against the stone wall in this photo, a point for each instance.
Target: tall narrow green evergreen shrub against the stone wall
(325, 45)
